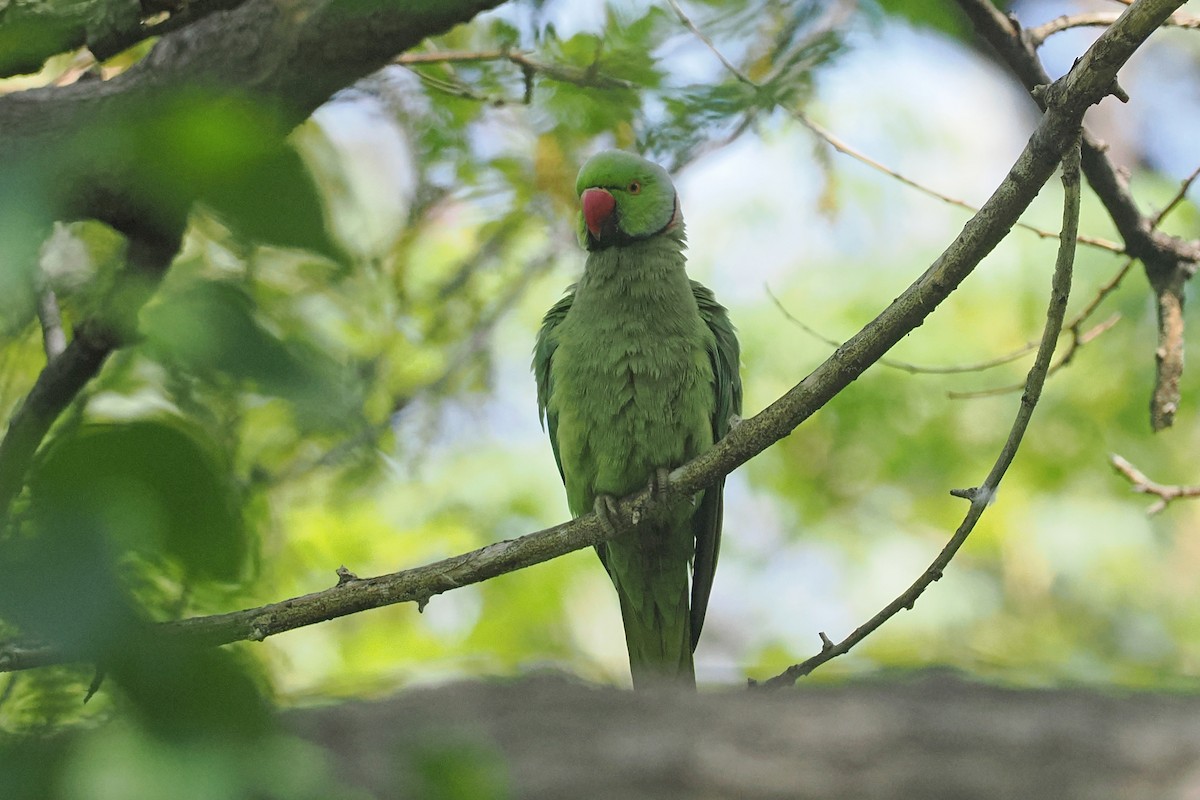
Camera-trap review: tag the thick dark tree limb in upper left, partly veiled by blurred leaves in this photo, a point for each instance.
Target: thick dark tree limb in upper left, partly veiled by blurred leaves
(79, 151)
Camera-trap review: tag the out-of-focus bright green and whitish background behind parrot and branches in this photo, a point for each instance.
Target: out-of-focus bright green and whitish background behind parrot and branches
(367, 400)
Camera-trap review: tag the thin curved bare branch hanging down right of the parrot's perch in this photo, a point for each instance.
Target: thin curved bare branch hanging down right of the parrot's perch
(981, 497)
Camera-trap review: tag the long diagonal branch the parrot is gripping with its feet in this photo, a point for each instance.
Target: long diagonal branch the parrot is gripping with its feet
(1085, 86)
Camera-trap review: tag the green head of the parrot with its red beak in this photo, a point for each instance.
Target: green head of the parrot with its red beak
(625, 199)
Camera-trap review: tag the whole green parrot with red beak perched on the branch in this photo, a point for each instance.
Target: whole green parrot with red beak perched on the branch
(638, 374)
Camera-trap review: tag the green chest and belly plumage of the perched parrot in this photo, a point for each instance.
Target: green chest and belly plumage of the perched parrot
(633, 376)
